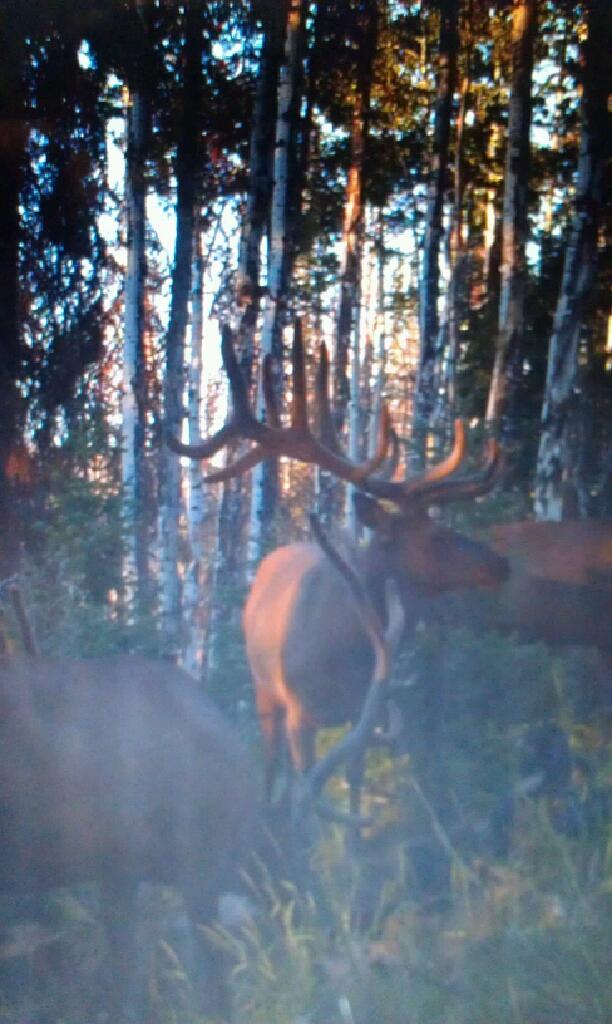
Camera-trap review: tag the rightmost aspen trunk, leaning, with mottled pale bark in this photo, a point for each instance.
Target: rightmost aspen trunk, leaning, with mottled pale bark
(556, 457)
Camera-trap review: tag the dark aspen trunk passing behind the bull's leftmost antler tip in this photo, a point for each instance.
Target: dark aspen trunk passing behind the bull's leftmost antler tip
(188, 177)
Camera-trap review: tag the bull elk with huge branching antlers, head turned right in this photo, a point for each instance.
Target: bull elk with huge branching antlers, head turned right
(311, 657)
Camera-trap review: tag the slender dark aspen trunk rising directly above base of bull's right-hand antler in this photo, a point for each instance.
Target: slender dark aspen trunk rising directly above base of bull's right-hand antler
(430, 273)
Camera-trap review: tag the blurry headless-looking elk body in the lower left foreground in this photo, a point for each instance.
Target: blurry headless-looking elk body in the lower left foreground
(118, 771)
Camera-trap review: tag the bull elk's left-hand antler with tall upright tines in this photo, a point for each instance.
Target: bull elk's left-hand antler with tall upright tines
(272, 441)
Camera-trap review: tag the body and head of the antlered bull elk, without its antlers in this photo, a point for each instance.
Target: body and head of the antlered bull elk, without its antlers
(311, 658)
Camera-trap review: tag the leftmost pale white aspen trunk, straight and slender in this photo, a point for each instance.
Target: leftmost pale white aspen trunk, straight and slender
(135, 371)
